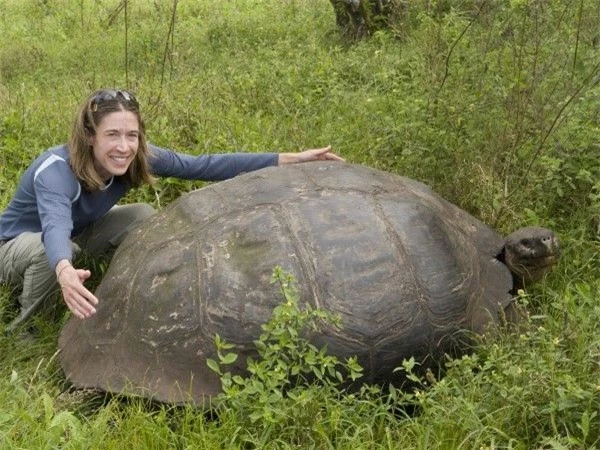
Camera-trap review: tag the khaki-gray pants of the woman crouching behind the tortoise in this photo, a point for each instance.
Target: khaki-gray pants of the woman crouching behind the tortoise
(23, 261)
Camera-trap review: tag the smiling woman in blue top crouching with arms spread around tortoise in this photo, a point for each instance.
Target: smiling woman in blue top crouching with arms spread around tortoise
(65, 200)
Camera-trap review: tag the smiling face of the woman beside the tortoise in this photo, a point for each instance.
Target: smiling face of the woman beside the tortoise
(115, 143)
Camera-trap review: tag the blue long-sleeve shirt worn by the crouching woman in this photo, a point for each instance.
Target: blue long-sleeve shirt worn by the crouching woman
(49, 198)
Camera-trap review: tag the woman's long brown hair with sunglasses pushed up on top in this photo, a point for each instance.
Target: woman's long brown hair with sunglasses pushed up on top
(89, 115)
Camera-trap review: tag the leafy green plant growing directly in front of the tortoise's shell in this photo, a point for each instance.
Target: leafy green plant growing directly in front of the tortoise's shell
(290, 372)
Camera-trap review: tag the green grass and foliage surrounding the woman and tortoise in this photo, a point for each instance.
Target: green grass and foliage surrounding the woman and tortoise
(495, 104)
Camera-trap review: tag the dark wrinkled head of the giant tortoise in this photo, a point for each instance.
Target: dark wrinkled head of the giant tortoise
(530, 253)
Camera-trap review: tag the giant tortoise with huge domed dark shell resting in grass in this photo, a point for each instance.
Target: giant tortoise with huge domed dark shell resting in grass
(403, 268)
